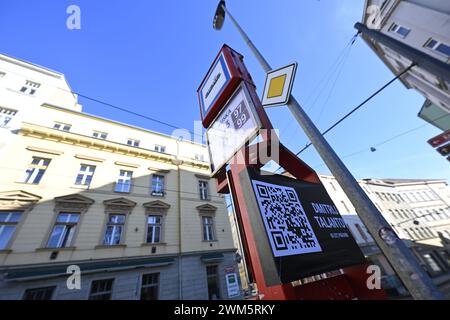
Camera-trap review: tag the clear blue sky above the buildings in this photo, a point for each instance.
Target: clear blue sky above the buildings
(150, 57)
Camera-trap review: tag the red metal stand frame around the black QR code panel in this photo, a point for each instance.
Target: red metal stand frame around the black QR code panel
(350, 285)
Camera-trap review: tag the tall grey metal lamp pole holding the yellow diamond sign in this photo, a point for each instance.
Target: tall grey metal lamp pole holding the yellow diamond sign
(398, 254)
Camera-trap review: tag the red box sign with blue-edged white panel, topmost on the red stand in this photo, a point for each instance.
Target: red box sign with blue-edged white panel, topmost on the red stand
(238, 73)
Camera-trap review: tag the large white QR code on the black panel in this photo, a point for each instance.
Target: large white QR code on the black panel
(287, 225)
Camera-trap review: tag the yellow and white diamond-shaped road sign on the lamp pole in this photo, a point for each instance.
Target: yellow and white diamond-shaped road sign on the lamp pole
(278, 86)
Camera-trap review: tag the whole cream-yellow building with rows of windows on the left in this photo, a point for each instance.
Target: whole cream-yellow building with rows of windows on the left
(133, 210)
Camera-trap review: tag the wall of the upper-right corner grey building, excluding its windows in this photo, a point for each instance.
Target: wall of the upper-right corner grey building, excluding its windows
(426, 20)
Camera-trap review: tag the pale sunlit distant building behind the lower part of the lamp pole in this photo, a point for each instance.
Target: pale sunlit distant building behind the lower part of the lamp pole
(418, 210)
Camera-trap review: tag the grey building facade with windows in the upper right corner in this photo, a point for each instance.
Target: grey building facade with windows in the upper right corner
(422, 25)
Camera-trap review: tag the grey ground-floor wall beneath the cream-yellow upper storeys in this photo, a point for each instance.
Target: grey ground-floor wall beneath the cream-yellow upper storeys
(127, 284)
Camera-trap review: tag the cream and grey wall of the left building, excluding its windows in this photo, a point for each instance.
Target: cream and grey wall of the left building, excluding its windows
(183, 163)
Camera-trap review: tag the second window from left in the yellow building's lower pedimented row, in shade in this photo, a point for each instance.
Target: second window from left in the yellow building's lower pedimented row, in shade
(64, 230)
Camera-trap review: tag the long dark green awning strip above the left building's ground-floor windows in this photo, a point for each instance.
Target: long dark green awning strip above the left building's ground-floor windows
(29, 273)
